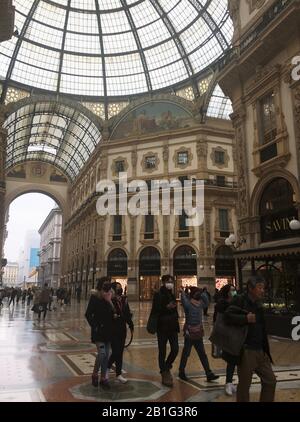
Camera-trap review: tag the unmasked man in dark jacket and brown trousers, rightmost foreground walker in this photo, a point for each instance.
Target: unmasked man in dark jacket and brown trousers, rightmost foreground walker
(255, 355)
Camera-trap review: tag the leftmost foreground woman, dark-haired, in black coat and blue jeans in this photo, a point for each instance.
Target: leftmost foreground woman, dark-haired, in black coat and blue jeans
(100, 315)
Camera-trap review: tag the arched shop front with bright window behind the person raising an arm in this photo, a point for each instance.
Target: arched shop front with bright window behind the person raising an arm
(185, 268)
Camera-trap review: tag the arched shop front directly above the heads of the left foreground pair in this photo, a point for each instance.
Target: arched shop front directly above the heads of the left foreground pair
(117, 267)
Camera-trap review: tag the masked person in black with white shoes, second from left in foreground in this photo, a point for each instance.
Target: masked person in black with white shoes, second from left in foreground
(122, 317)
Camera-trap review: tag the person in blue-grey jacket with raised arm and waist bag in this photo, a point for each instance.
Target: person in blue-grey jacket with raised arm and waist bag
(193, 332)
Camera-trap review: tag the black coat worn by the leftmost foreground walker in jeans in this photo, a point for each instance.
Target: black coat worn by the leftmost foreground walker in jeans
(100, 316)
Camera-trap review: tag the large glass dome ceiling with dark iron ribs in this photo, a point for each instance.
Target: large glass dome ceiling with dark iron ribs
(113, 48)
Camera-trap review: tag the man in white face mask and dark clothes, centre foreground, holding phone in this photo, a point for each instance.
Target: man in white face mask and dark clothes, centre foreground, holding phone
(165, 307)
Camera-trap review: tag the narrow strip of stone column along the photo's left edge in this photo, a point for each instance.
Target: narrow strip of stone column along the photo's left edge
(3, 143)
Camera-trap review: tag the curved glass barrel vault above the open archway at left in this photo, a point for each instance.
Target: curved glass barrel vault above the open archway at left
(51, 132)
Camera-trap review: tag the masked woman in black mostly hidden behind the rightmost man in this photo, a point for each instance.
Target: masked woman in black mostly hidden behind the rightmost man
(225, 297)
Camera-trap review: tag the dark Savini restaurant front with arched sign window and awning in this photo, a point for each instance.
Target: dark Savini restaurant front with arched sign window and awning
(277, 259)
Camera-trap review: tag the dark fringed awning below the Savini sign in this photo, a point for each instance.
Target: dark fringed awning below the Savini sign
(269, 252)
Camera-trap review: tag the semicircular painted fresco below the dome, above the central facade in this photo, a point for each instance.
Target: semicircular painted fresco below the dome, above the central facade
(153, 117)
